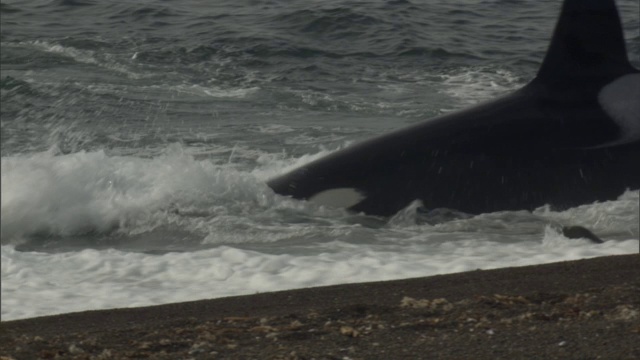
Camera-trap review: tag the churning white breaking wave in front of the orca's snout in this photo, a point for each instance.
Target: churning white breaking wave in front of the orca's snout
(56, 194)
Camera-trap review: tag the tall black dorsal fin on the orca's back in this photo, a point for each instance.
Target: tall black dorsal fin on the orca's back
(587, 42)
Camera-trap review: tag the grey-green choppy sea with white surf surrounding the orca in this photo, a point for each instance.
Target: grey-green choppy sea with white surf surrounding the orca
(136, 139)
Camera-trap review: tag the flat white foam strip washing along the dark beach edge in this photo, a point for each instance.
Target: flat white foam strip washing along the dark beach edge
(35, 284)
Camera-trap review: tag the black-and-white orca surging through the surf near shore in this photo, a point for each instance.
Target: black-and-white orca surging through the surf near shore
(571, 136)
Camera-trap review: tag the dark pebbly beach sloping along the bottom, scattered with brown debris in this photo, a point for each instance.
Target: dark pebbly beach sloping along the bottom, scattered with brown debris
(585, 309)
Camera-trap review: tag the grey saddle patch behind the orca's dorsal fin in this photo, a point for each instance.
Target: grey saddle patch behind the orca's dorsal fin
(620, 99)
